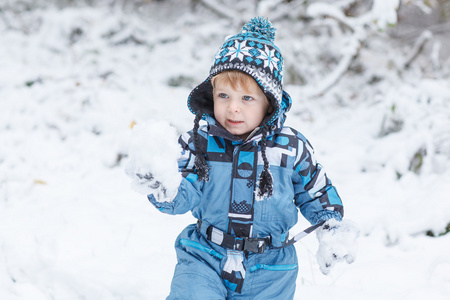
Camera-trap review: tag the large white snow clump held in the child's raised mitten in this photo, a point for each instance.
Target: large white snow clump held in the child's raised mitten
(153, 155)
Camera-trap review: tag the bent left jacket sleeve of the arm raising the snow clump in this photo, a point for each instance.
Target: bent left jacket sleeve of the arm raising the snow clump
(189, 192)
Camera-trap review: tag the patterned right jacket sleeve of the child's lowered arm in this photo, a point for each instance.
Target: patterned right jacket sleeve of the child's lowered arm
(315, 195)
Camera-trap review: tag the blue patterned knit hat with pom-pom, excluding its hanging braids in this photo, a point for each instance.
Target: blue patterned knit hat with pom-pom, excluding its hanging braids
(253, 52)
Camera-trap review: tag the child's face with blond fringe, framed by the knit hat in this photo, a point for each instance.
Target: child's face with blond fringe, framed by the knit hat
(239, 110)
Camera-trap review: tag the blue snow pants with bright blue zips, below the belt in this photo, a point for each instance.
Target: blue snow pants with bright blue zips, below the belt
(270, 275)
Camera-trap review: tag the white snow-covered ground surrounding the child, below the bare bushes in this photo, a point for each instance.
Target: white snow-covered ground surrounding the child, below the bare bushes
(72, 228)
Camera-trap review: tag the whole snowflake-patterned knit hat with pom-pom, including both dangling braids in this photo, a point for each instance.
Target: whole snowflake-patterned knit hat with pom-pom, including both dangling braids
(253, 52)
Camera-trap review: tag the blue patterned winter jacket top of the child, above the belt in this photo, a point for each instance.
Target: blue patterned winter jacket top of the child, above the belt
(228, 201)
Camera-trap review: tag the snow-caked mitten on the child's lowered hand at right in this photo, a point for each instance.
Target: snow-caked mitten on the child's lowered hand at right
(337, 243)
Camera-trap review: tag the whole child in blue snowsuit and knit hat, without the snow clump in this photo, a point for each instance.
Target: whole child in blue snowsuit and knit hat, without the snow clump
(244, 175)
